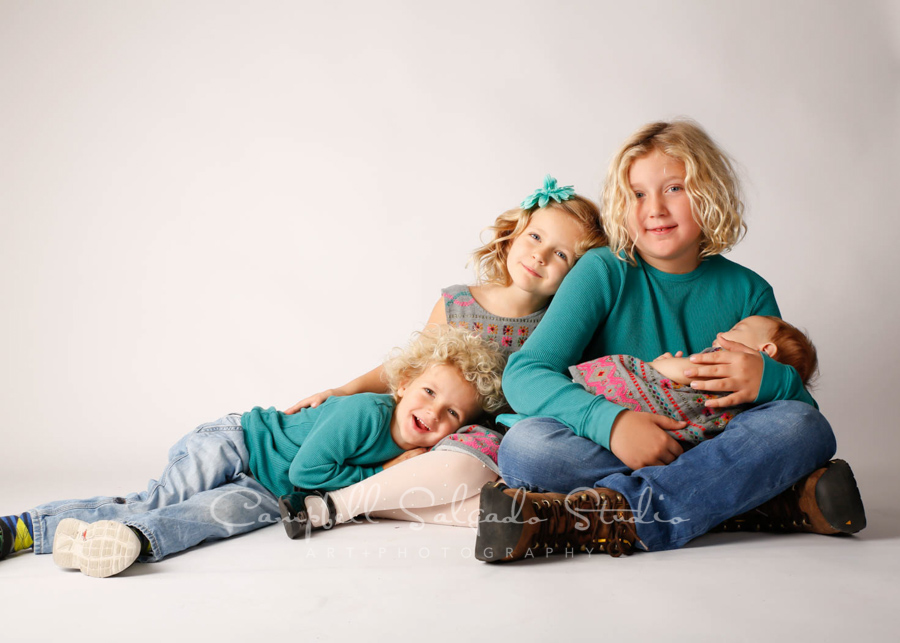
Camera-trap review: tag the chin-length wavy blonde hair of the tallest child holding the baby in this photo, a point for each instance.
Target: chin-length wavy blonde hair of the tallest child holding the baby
(711, 185)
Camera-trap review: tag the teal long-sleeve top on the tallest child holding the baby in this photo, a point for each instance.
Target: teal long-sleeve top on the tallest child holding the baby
(607, 307)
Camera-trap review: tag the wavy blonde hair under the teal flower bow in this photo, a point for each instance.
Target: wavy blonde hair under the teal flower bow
(490, 259)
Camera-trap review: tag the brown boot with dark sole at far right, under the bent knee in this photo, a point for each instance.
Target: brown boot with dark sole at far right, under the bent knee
(827, 501)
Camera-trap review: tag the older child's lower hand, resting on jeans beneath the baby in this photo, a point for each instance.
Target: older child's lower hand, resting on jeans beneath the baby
(640, 439)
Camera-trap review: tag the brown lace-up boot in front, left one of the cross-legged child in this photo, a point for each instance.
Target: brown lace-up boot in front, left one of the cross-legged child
(517, 524)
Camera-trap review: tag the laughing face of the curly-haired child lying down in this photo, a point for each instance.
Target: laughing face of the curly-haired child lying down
(432, 406)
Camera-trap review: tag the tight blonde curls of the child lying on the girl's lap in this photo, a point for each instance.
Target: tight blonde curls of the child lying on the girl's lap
(479, 361)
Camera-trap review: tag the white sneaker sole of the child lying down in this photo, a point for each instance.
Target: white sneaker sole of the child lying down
(99, 549)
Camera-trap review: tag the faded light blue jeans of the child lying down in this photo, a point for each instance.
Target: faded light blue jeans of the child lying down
(204, 493)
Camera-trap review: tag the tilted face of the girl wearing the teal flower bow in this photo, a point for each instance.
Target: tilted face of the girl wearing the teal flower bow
(544, 252)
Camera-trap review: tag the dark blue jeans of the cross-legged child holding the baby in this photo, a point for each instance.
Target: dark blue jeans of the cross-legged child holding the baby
(761, 452)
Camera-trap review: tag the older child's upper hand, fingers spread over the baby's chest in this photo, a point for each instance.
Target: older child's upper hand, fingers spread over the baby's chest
(738, 369)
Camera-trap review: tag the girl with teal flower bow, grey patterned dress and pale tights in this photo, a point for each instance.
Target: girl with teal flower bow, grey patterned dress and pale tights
(532, 247)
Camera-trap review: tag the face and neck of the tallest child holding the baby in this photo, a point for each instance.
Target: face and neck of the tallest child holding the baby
(661, 222)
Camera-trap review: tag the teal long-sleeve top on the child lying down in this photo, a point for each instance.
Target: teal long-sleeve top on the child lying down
(340, 442)
